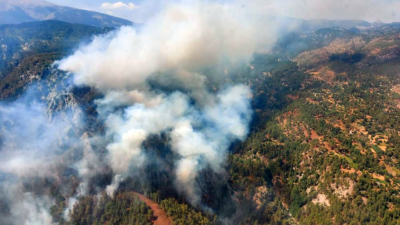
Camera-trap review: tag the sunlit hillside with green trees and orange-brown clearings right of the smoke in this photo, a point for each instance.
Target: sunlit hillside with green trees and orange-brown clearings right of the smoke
(325, 141)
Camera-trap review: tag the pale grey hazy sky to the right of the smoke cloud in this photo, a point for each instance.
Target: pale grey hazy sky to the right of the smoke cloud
(369, 10)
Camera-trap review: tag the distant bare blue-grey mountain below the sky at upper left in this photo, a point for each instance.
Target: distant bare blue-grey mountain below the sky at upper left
(20, 11)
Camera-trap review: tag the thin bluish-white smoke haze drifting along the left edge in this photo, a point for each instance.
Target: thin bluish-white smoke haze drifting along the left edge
(33, 149)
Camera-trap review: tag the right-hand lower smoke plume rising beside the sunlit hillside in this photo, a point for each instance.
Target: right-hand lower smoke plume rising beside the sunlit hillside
(206, 146)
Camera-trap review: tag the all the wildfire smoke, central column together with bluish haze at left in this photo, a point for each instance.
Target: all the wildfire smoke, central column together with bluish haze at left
(153, 81)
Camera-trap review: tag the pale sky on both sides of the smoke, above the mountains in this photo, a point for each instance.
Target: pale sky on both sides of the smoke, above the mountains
(370, 10)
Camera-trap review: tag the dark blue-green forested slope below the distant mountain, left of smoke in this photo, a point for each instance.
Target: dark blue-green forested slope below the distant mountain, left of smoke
(27, 49)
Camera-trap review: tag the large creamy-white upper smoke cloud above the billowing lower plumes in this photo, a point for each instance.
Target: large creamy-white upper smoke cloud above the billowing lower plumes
(183, 37)
